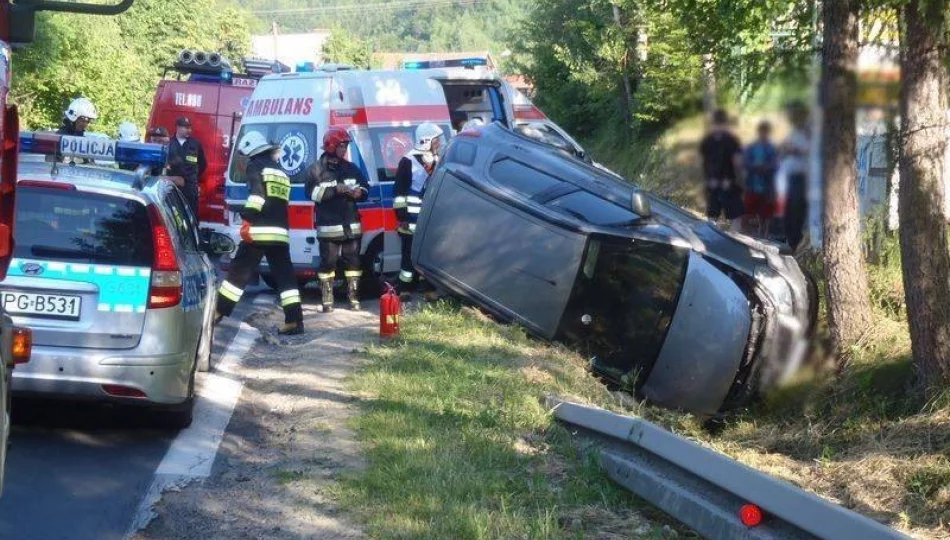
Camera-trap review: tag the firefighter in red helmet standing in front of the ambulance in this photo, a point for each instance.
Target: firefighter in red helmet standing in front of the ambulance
(336, 185)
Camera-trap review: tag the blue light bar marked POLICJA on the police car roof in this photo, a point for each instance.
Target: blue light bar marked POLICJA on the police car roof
(52, 144)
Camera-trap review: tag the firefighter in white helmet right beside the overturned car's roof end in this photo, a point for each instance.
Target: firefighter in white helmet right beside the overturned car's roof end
(412, 175)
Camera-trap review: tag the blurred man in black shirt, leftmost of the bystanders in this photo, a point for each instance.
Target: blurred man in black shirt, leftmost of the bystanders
(722, 160)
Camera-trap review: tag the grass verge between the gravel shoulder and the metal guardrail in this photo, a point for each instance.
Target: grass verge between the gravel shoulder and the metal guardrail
(458, 444)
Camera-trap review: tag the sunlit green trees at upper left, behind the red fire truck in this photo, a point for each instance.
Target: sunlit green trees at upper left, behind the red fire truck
(117, 61)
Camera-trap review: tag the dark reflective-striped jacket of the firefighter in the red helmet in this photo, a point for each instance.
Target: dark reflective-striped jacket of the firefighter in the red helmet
(337, 215)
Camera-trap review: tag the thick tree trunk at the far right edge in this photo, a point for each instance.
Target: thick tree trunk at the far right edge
(923, 230)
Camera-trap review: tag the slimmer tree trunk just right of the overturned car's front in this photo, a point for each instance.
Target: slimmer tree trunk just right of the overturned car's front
(849, 308)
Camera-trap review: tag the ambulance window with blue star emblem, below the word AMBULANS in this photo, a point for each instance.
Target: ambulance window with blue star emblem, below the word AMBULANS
(298, 149)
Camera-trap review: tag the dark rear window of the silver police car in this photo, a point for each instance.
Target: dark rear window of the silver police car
(82, 227)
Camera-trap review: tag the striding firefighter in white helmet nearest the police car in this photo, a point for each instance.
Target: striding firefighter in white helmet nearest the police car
(263, 234)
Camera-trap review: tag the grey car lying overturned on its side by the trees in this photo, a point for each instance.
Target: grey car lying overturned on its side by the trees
(664, 304)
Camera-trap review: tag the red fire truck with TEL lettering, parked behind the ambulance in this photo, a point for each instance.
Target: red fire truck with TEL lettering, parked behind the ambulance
(206, 89)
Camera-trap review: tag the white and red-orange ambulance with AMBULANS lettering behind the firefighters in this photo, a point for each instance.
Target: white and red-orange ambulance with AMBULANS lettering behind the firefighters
(381, 110)
